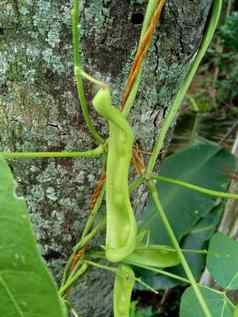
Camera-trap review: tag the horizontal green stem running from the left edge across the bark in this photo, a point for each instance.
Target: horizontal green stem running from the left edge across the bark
(34, 155)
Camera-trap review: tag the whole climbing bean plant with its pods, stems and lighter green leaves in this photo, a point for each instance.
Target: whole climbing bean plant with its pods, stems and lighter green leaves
(26, 286)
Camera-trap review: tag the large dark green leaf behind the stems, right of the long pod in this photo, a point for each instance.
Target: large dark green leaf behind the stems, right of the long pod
(203, 163)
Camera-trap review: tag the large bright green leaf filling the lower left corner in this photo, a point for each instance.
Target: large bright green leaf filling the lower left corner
(26, 287)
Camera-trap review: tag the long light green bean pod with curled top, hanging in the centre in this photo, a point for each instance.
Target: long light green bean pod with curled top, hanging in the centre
(121, 227)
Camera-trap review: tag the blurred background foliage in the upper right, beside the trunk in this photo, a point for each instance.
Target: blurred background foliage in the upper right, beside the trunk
(211, 106)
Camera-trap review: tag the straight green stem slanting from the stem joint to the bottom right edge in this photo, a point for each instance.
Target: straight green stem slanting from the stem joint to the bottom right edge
(188, 272)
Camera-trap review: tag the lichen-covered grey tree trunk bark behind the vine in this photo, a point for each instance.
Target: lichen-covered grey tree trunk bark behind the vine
(39, 108)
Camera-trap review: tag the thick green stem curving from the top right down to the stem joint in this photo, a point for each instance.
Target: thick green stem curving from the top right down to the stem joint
(215, 15)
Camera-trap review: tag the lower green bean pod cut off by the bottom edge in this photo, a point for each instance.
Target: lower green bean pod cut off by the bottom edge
(123, 286)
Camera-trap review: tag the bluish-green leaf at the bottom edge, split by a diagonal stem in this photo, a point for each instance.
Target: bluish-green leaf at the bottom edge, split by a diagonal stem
(218, 304)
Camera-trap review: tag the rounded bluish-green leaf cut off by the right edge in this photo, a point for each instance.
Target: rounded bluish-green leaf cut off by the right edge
(222, 260)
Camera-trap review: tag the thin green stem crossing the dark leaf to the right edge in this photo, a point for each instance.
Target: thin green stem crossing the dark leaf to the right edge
(196, 188)
